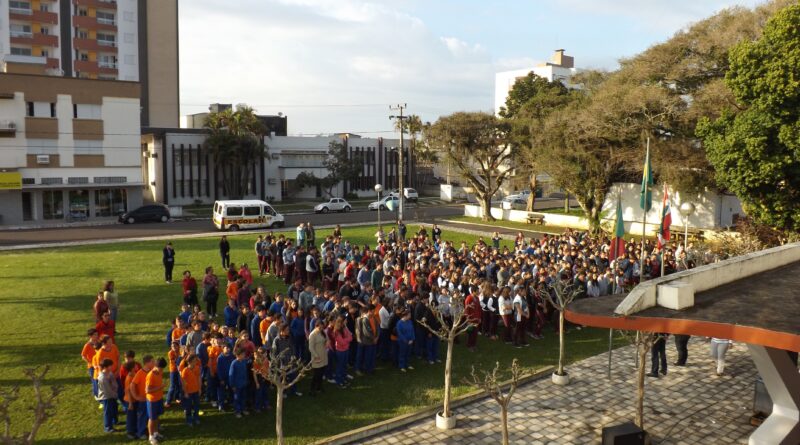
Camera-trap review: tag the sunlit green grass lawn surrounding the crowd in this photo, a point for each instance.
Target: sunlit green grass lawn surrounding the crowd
(45, 323)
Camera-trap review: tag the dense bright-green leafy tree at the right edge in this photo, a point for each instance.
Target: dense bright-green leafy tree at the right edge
(755, 147)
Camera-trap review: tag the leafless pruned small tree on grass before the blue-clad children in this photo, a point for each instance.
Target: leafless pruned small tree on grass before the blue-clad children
(283, 371)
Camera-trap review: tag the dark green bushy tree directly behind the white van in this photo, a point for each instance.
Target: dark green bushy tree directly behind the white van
(236, 142)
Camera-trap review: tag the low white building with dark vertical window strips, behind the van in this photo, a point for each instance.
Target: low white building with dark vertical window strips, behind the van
(178, 170)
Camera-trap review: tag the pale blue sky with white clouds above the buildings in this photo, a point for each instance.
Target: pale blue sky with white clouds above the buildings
(336, 66)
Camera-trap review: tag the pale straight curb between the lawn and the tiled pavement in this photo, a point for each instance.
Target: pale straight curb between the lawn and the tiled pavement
(429, 412)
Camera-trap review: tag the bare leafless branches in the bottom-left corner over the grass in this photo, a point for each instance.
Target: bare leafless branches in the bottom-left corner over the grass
(43, 407)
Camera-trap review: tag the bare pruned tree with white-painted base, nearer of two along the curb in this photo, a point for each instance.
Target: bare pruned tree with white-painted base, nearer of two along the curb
(449, 323)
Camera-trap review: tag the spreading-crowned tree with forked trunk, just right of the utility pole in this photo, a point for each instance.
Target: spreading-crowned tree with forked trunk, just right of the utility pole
(476, 144)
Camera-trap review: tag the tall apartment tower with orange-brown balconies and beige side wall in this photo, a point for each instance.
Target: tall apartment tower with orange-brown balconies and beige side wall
(129, 40)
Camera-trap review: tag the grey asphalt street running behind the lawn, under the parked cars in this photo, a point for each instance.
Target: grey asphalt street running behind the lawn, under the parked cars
(117, 231)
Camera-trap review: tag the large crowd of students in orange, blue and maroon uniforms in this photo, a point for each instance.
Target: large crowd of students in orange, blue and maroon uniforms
(345, 307)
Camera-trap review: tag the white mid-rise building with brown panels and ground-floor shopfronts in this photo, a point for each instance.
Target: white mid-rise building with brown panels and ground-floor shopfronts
(69, 148)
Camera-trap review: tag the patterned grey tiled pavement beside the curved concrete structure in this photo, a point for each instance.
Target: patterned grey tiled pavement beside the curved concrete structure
(688, 406)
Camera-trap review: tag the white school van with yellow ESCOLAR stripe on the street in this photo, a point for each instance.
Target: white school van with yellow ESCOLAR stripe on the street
(245, 214)
